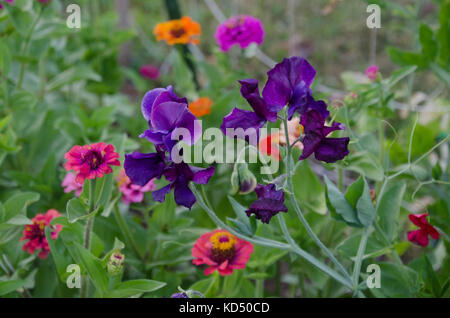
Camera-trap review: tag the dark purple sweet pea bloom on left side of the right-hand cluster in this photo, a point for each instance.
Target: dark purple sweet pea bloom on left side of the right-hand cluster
(245, 119)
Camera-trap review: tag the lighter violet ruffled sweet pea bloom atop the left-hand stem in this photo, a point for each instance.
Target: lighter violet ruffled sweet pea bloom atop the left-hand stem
(165, 113)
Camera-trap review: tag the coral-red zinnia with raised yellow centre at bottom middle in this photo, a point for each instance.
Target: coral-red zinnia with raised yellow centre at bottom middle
(222, 251)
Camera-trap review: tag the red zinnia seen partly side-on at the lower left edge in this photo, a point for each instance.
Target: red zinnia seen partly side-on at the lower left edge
(35, 233)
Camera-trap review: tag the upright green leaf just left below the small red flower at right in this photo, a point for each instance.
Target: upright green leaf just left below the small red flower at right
(389, 208)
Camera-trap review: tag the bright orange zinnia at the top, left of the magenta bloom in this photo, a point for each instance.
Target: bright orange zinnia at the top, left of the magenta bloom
(181, 31)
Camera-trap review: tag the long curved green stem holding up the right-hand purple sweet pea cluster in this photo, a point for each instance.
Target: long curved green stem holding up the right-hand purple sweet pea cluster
(298, 210)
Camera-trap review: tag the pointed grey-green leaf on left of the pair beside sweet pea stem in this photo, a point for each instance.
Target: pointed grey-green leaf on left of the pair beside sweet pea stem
(339, 206)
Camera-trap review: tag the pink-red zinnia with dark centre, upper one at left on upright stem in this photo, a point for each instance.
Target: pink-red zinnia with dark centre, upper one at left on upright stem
(91, 161)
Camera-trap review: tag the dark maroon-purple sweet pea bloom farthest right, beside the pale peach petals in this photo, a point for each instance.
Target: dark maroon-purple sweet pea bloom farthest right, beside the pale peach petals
(315, 141)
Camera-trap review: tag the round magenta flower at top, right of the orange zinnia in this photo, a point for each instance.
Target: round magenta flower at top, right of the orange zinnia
(242, 30)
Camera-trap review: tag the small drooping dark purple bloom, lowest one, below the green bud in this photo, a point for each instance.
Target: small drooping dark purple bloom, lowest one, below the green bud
(269, 203)
